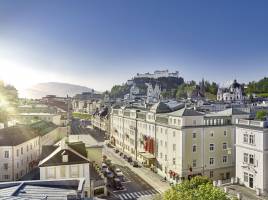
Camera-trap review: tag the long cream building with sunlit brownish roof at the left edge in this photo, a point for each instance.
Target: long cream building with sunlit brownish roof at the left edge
(20, 147)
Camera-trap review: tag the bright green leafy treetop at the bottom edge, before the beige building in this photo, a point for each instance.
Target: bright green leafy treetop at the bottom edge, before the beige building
(198, 188)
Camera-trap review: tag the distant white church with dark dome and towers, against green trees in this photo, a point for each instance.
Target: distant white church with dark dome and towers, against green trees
(233, 93)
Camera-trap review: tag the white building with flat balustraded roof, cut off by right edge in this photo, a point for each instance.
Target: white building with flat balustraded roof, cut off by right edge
(252, 154)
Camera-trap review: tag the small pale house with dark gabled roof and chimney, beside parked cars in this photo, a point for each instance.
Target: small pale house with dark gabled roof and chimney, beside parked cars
(69, 161)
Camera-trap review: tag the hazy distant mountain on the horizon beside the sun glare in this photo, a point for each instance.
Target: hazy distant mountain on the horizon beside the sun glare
(40, 90)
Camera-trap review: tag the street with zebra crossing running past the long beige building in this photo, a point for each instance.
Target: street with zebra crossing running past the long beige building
(134, 185)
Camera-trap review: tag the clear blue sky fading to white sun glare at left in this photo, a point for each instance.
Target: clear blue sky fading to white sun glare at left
(100, 43)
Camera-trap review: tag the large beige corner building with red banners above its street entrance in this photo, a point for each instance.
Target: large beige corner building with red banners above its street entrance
(177, 144)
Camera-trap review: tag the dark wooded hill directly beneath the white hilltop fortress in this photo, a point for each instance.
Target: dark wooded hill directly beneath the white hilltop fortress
(165, 83)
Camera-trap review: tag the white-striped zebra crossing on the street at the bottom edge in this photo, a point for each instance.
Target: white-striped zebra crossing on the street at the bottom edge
(147, 194)
